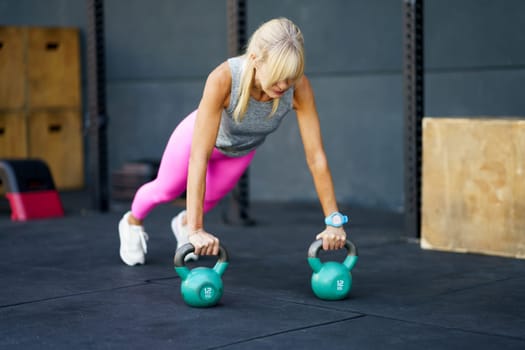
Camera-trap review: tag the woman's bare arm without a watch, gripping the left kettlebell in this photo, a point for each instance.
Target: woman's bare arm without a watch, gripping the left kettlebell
(215, 95)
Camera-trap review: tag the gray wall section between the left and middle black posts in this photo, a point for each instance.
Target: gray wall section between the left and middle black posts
(158, 55)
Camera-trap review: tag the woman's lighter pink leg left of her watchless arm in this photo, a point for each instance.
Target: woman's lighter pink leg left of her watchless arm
(172, 176)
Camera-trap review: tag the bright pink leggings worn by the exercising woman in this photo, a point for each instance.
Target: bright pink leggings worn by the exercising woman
(222, 174)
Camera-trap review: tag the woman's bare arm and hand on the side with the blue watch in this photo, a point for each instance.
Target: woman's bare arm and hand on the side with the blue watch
(309, 127)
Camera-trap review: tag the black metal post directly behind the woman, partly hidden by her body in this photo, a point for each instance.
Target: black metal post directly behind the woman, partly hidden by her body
(237, 212)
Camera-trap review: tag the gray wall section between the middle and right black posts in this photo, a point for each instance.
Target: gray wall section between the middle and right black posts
(353, 52)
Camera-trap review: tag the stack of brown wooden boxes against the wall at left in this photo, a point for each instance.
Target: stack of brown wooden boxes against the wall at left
(40, 100)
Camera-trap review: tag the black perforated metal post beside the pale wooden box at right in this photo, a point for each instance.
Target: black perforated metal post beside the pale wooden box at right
(413, 72)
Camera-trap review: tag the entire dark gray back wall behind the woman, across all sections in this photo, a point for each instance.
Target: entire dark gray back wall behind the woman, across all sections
(158, 53)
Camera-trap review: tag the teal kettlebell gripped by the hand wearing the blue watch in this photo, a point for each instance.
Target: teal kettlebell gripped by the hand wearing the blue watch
(331, 280)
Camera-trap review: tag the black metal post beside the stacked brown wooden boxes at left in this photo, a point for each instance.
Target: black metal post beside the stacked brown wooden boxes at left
(97, 122)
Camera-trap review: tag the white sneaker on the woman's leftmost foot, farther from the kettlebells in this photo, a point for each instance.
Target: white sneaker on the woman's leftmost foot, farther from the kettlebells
(133, 240)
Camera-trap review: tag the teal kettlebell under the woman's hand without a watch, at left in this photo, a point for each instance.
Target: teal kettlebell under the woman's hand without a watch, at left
(201, 286)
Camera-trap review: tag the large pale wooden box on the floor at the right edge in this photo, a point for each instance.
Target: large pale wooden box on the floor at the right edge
(473, 186)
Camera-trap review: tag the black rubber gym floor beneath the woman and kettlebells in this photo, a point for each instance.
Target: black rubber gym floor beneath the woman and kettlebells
(64, 286)
